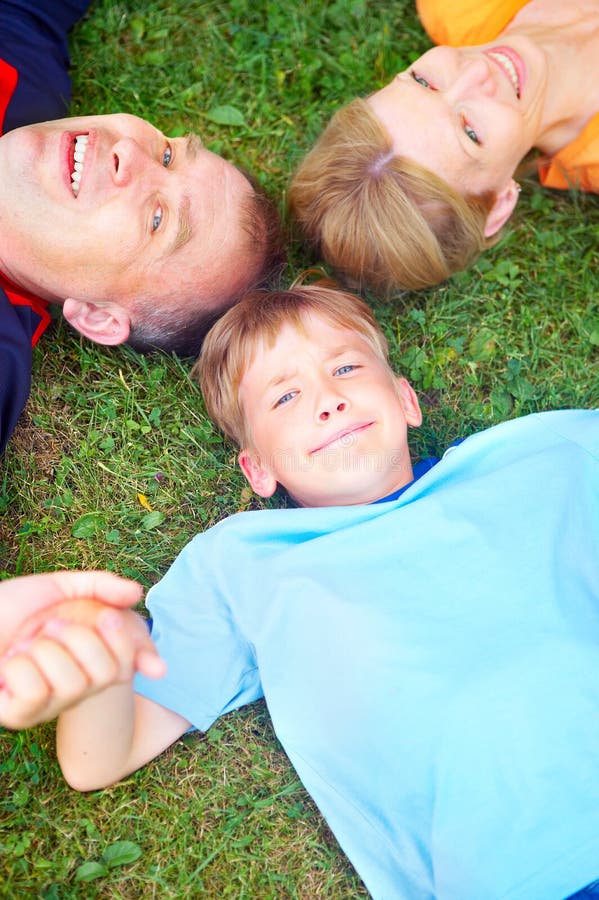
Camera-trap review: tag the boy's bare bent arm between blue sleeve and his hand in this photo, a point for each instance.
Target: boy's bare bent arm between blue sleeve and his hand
(110, 735)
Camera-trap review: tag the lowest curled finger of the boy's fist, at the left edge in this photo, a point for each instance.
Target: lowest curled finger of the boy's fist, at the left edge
(24, 693)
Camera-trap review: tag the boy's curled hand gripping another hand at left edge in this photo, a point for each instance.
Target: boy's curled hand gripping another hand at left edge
(68, 652)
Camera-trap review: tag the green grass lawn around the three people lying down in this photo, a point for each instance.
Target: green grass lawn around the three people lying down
(115, 464)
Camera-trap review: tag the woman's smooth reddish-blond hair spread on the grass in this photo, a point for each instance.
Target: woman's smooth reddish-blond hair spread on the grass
(382, 221)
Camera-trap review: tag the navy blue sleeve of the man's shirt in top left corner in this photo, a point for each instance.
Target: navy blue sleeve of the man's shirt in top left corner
(33, 40)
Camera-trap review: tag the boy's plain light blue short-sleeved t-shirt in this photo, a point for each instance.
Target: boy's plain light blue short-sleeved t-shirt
(430, 664)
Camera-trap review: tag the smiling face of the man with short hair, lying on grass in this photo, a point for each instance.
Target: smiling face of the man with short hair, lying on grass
(150, 216)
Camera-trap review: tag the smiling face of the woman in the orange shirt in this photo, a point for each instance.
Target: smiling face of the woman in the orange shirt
(467, 113)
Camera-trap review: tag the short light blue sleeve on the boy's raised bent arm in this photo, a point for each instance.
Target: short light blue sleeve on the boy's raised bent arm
(212, 668)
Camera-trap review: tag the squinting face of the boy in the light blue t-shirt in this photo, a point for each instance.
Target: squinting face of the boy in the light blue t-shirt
(327, 418)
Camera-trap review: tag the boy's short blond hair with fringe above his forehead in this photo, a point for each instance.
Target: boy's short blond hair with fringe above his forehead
(231, 345)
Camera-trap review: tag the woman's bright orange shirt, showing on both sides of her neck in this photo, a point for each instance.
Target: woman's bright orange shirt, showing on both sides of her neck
(465, 22)
